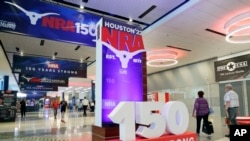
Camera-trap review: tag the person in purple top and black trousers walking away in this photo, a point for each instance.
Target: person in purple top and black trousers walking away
(201, 111)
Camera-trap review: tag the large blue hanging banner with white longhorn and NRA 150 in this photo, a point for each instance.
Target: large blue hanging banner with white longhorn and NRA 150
(48, 21)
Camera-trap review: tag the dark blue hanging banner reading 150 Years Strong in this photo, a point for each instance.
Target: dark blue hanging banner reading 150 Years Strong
(40, 67)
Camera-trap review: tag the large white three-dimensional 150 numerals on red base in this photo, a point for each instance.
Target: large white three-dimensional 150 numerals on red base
(172, 118)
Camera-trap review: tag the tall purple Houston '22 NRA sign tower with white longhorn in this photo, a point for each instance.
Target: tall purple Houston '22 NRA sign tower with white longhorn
(119, 56)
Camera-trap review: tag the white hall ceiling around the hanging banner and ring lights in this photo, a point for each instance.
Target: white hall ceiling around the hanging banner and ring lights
(184, 28)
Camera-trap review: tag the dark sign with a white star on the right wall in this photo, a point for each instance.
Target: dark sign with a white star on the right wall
(232, 69)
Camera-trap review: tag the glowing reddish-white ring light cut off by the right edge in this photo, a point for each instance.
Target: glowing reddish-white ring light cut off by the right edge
(238, 28)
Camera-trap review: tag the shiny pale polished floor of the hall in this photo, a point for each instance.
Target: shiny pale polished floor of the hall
(41, 126)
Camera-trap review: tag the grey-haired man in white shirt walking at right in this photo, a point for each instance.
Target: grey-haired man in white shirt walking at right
(231, 101)
